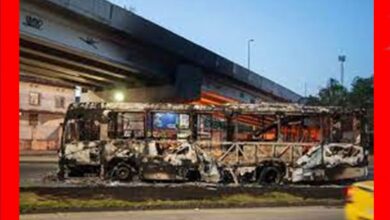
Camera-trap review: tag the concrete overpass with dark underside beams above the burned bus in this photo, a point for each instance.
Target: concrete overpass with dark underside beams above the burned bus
(103, 48)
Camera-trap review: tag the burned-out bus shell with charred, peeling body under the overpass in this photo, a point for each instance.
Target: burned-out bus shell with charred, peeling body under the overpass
(266, 143)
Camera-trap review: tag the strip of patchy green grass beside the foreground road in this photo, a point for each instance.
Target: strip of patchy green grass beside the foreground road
(31, 202)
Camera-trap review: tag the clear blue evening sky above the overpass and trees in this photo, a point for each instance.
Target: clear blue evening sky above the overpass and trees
(296, 42)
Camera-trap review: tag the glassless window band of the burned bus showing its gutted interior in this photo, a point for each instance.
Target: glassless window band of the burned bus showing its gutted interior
(213, 127)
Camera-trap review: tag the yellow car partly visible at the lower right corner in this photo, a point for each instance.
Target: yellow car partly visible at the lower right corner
(359, 199)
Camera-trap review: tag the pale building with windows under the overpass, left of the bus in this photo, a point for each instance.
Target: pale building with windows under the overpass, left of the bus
(42, 109)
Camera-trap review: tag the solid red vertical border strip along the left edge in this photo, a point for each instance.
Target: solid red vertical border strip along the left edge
(9, 102)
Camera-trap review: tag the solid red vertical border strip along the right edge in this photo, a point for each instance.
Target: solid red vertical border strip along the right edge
(381, 113)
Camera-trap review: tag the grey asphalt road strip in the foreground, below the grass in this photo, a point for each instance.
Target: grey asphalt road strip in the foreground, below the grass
(286, 213)
